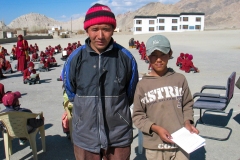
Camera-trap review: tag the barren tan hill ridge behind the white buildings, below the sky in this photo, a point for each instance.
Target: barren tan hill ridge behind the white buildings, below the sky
(219, 14)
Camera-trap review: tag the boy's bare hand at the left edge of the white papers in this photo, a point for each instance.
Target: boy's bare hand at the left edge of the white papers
(162, 133)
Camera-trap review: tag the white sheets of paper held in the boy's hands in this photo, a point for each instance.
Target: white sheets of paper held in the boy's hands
(189, 142)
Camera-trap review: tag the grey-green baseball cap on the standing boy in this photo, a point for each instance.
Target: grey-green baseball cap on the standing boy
(158, 42)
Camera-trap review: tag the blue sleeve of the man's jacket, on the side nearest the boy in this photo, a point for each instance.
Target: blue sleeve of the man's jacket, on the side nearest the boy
(133, 81)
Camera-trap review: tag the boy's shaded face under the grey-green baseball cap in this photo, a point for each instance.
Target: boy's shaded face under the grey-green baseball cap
(159, 62)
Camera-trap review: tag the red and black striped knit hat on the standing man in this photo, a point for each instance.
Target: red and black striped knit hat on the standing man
(99, 14)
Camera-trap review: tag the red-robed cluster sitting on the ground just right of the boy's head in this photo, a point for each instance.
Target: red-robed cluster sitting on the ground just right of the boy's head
(184, 61)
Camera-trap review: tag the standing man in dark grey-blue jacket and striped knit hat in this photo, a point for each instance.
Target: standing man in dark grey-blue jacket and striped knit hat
(100, 78)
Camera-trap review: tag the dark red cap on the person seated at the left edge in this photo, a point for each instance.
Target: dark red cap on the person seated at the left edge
(10, 98)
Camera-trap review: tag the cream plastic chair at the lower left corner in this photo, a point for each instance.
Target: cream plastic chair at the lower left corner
(15, 123)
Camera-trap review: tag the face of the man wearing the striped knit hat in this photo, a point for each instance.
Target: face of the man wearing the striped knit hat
(100, 36)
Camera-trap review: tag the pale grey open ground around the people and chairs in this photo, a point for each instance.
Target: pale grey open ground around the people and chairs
(215, 53)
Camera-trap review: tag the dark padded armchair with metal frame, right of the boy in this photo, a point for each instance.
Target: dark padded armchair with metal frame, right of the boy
(215, 102)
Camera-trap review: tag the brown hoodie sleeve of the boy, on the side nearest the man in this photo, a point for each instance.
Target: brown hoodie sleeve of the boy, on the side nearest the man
(140, 119)
